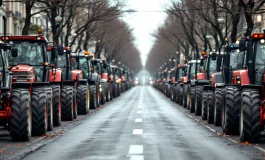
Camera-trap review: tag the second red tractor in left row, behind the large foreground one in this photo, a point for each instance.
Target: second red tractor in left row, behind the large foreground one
(66, 79)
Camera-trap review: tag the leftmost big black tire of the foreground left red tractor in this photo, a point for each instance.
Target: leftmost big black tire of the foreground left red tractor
(21, 115)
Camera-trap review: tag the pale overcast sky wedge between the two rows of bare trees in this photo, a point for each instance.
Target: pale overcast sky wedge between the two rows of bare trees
(145, 23)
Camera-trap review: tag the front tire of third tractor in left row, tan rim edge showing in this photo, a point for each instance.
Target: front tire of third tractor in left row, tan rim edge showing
(82, 99)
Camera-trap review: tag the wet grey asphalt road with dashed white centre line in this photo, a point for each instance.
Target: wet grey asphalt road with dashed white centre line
(141, 124)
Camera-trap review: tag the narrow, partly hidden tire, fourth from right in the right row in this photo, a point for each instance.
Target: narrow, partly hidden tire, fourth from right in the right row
(210, 107)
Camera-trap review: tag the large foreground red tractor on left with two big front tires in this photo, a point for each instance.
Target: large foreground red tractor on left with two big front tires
(31, 101)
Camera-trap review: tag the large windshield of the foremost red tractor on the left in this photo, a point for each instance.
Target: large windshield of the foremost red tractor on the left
(30, 53)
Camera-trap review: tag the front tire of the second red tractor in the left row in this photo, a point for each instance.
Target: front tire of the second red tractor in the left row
(67, 98)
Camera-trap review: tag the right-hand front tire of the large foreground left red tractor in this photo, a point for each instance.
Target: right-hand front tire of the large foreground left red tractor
(39, 112)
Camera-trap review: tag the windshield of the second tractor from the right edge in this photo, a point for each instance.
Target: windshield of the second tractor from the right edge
(236, 60)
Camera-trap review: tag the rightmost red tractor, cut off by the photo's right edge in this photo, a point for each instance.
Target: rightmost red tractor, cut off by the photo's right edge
(250, 81)
